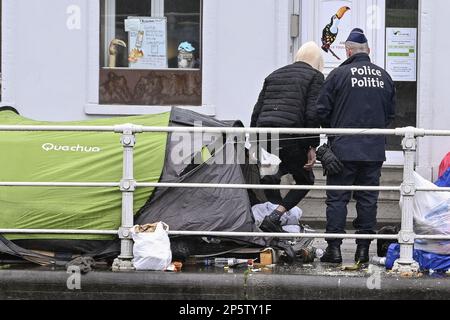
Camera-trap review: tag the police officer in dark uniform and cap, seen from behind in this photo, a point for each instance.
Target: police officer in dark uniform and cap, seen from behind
(358, 94)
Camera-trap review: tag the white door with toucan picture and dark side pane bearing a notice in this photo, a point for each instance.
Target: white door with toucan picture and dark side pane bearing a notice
(377, 18)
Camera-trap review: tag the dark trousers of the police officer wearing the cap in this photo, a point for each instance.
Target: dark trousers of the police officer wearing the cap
(360, 174)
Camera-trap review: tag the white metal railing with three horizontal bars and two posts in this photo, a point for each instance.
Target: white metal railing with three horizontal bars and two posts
(128, 185)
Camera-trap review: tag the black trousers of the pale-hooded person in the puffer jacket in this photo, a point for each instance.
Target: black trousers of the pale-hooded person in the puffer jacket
(293, 158)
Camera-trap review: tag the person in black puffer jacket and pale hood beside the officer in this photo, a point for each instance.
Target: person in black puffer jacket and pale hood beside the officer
(288, 100)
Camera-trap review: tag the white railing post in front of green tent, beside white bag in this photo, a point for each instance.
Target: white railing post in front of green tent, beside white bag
(127, 186)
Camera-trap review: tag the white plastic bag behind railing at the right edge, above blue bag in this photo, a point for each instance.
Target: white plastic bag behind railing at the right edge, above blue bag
(431, 217)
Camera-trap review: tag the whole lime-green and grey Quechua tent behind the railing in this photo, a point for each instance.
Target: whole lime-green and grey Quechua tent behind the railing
(98, 157)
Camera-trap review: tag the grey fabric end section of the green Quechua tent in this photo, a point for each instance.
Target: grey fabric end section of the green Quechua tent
(199, 209)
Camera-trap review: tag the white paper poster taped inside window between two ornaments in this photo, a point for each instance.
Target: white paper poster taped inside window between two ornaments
(147, 42)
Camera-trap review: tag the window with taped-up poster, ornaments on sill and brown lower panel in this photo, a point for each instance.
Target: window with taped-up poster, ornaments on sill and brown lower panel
(151, 52)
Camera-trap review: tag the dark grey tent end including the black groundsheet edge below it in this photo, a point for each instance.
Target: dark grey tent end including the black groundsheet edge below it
(204, 209)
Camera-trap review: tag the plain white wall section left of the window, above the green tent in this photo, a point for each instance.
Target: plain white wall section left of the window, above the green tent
(46, 62)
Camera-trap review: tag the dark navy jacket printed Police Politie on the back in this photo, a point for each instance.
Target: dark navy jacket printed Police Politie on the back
(358, 94)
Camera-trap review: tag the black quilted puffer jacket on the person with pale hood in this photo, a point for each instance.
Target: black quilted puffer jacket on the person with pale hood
(288, 100)
